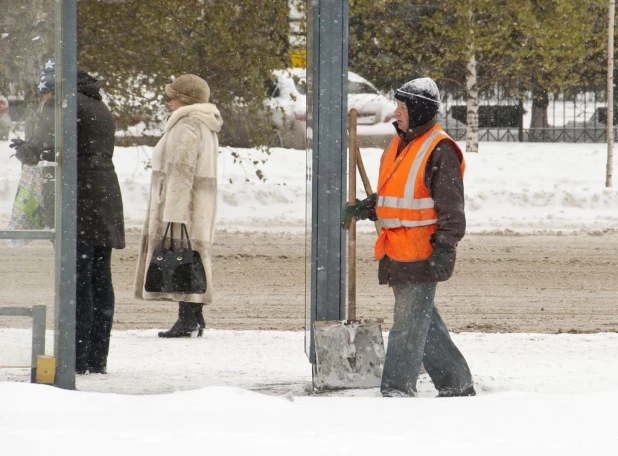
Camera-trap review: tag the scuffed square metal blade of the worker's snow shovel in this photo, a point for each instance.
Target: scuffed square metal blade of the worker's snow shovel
(349, 354)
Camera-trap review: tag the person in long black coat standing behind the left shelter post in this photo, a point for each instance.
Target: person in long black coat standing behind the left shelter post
(100, 218)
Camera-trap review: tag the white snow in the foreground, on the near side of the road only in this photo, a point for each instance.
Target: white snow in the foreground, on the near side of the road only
(538, 394)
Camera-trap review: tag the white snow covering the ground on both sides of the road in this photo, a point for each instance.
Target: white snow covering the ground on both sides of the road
(246, 392)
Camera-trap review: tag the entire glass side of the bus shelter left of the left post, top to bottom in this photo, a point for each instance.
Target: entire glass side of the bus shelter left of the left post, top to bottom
(28, 116)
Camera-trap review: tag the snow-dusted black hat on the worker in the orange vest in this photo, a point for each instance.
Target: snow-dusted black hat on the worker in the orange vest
(422, 98)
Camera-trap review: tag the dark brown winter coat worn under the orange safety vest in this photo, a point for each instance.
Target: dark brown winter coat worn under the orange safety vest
(444, 180)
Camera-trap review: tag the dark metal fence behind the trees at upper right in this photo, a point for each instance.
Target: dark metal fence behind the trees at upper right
(580, 116)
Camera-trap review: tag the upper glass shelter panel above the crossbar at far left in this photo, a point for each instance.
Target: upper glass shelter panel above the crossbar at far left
(27, 113)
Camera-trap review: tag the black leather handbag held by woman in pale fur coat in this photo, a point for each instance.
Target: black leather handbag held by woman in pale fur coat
(178, 270)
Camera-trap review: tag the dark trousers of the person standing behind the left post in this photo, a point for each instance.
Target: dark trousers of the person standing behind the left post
(95, 306)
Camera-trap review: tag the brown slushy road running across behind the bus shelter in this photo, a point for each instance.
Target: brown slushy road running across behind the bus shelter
(546, 284)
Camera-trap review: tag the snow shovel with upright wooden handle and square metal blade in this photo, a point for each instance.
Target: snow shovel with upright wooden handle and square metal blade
(349, 353)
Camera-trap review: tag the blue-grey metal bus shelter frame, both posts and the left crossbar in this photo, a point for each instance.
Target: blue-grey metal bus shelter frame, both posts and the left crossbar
(326, 152)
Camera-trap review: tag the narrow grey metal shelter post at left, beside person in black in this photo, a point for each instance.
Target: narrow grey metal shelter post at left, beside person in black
(66, 191)
